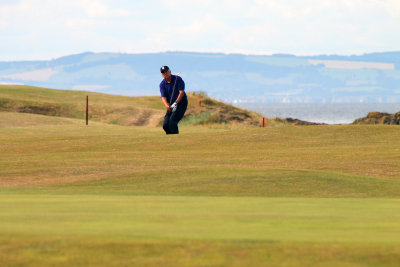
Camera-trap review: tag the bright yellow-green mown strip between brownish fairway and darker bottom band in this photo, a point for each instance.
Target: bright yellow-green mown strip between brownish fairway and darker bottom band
(203, 218)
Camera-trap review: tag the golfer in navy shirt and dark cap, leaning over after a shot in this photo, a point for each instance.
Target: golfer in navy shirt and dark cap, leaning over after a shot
(172, 89)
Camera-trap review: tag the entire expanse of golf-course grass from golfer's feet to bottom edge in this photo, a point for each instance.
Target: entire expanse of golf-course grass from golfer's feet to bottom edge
(114, 195)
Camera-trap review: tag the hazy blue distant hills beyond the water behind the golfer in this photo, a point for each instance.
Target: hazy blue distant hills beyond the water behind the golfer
(231, 78)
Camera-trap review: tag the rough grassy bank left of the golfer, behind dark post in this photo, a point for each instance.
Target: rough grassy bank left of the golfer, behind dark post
(72, 104)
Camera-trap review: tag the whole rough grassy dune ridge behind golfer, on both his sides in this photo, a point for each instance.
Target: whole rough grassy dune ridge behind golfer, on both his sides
(120, 110)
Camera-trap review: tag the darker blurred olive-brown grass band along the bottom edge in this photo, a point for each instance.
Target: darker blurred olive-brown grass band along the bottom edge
(83, 251)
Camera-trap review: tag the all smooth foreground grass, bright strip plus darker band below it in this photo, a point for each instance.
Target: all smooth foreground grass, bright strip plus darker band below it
(41, 230)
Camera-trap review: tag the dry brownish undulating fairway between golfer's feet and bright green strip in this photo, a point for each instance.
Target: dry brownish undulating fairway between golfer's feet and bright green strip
(317, 161)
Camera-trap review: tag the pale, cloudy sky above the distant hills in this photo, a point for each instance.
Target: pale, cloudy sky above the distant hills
(45, 29)
